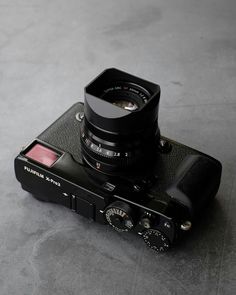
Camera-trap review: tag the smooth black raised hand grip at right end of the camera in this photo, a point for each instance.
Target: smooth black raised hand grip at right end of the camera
(196, 181)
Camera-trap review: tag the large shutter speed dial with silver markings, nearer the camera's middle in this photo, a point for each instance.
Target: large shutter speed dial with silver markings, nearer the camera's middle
(120, 216)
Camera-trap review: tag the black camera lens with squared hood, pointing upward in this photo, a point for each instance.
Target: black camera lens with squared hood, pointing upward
(120, 126)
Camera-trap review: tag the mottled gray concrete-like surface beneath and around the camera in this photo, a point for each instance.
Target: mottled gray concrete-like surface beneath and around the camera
(49, 50)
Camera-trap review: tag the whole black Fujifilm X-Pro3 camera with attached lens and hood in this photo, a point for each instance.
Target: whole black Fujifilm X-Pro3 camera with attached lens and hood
(106, 160)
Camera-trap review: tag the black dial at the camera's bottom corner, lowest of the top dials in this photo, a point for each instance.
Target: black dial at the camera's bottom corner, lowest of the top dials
(156, 240)
